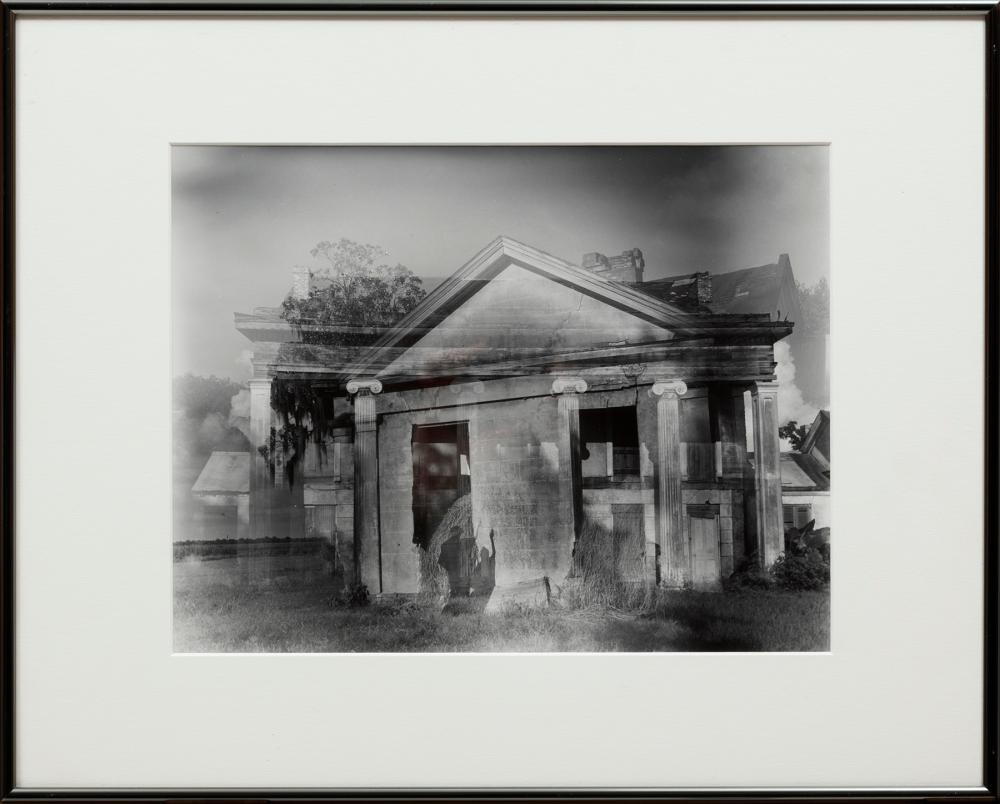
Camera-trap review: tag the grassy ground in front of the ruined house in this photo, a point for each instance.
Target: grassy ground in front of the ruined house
(215, 612)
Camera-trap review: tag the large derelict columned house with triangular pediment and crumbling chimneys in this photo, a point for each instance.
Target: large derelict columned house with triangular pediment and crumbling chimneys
(525, 404)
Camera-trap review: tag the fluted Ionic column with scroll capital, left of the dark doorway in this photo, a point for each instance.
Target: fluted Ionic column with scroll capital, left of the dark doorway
(367, 560)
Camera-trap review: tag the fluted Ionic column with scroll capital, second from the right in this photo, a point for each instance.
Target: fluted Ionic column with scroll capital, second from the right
(669, 500)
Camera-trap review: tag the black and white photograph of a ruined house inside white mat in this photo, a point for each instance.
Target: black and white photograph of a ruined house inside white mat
(500, 398)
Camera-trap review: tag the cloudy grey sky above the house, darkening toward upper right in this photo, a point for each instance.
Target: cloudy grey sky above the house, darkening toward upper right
(244, 217)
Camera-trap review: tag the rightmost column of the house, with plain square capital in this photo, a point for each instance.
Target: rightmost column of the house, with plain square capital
(767, 472)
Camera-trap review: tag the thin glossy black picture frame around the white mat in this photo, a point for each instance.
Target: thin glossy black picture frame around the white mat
(989, 12)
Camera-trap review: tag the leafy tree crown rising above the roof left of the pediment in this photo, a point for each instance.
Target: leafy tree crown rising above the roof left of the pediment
(353, 296)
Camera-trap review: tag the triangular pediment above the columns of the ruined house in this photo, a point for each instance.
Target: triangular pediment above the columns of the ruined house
(513, 302)
